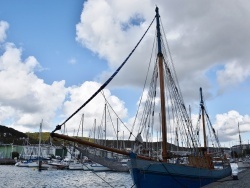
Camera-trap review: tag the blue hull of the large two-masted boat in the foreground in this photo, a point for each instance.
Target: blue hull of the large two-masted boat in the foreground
(156, 174)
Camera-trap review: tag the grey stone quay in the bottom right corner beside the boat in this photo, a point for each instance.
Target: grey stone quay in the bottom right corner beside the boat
(228, 182)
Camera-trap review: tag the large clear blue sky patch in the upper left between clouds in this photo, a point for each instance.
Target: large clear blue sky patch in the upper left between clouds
(54, 23)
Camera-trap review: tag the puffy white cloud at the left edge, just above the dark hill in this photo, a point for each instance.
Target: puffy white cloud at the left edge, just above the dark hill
(25, 97)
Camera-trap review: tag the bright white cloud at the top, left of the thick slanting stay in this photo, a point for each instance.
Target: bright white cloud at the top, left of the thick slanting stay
(102, 27)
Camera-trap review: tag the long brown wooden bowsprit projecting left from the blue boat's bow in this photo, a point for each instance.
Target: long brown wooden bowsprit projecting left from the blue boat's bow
(83, 142)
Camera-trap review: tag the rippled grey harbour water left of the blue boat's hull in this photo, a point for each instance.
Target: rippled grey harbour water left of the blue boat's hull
(22, 177)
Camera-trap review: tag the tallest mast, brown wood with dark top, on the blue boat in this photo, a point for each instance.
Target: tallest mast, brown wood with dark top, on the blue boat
(162, 92)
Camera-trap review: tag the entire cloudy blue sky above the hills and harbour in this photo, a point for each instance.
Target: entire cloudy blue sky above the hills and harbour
(55, 54)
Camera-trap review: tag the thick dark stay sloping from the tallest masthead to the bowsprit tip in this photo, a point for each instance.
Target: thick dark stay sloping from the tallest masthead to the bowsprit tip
(58, 127)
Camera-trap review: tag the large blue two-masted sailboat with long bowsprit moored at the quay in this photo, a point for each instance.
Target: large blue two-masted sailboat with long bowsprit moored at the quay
(147, 169)
